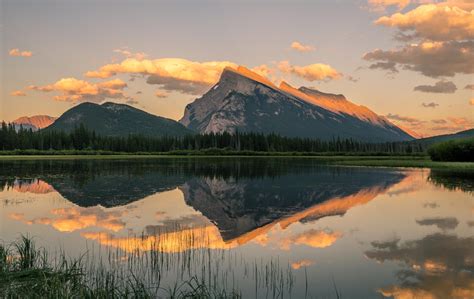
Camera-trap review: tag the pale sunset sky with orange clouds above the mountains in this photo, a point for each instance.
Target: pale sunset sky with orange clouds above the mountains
(411, 61)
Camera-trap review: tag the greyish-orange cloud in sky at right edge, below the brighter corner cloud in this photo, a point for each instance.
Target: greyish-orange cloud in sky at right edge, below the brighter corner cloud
(432, 59)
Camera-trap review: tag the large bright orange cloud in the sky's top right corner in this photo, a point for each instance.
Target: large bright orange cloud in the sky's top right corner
(435, 22)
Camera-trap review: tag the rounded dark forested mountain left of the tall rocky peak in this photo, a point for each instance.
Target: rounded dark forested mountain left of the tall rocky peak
(111, 119)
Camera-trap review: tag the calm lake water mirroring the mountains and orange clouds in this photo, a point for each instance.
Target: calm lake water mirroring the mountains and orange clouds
(268, 227)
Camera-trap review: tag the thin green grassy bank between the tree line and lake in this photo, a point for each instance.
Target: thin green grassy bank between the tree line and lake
(346, 159)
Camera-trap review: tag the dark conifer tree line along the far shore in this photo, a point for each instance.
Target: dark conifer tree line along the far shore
(81, 138)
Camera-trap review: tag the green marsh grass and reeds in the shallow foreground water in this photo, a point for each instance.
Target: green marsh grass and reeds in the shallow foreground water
(106, 272)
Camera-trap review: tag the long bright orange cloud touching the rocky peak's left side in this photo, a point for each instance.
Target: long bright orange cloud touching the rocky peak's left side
(173, 74)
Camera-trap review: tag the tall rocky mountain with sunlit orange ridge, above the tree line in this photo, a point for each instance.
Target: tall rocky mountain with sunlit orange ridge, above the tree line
(245, 101)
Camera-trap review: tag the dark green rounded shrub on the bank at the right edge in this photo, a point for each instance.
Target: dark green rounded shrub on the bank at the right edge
(461, 150)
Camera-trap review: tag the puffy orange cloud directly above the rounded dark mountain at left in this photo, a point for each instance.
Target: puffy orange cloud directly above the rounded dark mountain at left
(75, 90)
